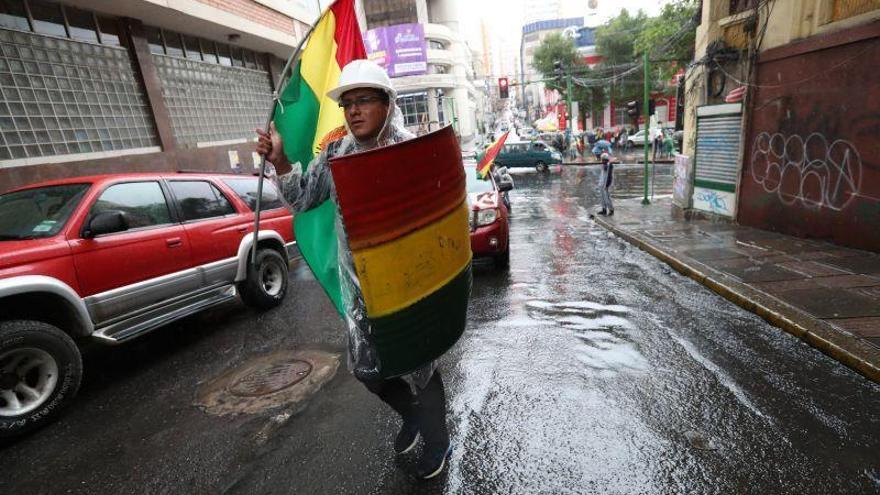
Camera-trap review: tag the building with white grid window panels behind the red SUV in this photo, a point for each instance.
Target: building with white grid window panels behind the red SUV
(101, 87)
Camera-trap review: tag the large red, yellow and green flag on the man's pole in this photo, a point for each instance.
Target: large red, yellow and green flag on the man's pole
(307, 118)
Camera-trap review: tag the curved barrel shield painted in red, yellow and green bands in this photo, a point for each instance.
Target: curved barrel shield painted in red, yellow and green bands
(405, 212)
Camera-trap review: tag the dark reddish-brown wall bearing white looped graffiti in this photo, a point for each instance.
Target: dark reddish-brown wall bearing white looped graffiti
(811, 165)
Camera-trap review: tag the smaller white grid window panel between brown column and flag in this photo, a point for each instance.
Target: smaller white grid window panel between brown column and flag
(210, 102)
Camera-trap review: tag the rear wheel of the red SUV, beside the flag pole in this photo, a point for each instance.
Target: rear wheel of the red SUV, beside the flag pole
(266, 282)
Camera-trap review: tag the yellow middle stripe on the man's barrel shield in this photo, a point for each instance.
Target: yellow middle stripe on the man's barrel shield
(399, 273)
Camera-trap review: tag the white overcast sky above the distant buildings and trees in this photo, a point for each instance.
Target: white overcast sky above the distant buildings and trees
(504, 19)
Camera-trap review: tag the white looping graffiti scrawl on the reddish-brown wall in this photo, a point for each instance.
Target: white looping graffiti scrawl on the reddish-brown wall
(808, 171)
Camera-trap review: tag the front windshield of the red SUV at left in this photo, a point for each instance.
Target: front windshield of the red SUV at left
(39, 212)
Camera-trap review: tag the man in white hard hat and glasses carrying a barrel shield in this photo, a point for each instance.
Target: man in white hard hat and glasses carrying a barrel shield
(372, 120)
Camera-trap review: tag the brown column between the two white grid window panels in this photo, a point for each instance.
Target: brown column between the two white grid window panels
(139, 50)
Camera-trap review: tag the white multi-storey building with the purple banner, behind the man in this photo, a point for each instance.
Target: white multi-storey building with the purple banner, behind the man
(444, 93)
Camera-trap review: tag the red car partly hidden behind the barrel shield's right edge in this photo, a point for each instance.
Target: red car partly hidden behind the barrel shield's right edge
(489, 219)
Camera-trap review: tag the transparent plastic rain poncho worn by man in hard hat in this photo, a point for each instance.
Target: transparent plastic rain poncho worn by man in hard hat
(311, 189)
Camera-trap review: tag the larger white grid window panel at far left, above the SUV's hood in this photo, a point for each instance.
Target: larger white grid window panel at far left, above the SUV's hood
(62, 97)
